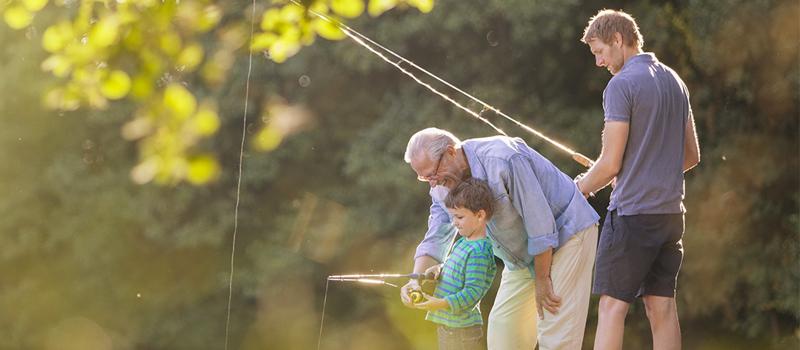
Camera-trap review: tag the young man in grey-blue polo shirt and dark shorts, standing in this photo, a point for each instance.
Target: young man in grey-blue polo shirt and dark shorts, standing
(648, 142)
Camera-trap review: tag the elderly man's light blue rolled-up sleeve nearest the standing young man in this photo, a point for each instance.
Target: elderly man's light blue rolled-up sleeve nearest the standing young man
(529, 200)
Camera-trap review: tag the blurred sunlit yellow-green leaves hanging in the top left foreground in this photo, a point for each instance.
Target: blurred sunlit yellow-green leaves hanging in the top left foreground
(147, 50)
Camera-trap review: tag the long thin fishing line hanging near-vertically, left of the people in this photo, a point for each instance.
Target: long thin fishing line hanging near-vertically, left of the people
(239, 177)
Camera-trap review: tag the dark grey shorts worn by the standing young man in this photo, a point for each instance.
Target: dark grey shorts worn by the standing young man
(639, 255)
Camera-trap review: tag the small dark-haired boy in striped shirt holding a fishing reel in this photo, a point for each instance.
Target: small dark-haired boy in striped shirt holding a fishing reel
(467, 272)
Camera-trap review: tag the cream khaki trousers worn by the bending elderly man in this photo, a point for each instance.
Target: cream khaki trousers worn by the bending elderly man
(513, 319)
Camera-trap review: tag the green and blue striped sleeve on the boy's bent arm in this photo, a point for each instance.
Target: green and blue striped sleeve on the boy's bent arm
(478, 278)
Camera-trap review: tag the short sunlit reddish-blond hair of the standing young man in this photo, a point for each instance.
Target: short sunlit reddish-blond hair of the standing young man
(607, 22)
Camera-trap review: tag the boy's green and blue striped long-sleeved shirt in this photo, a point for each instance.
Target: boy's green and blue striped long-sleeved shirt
(466, 277)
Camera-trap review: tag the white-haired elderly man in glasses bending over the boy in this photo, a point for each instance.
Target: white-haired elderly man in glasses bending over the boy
(543, 229)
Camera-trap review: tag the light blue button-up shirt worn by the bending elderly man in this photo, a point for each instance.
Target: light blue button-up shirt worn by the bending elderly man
(536, 205)
